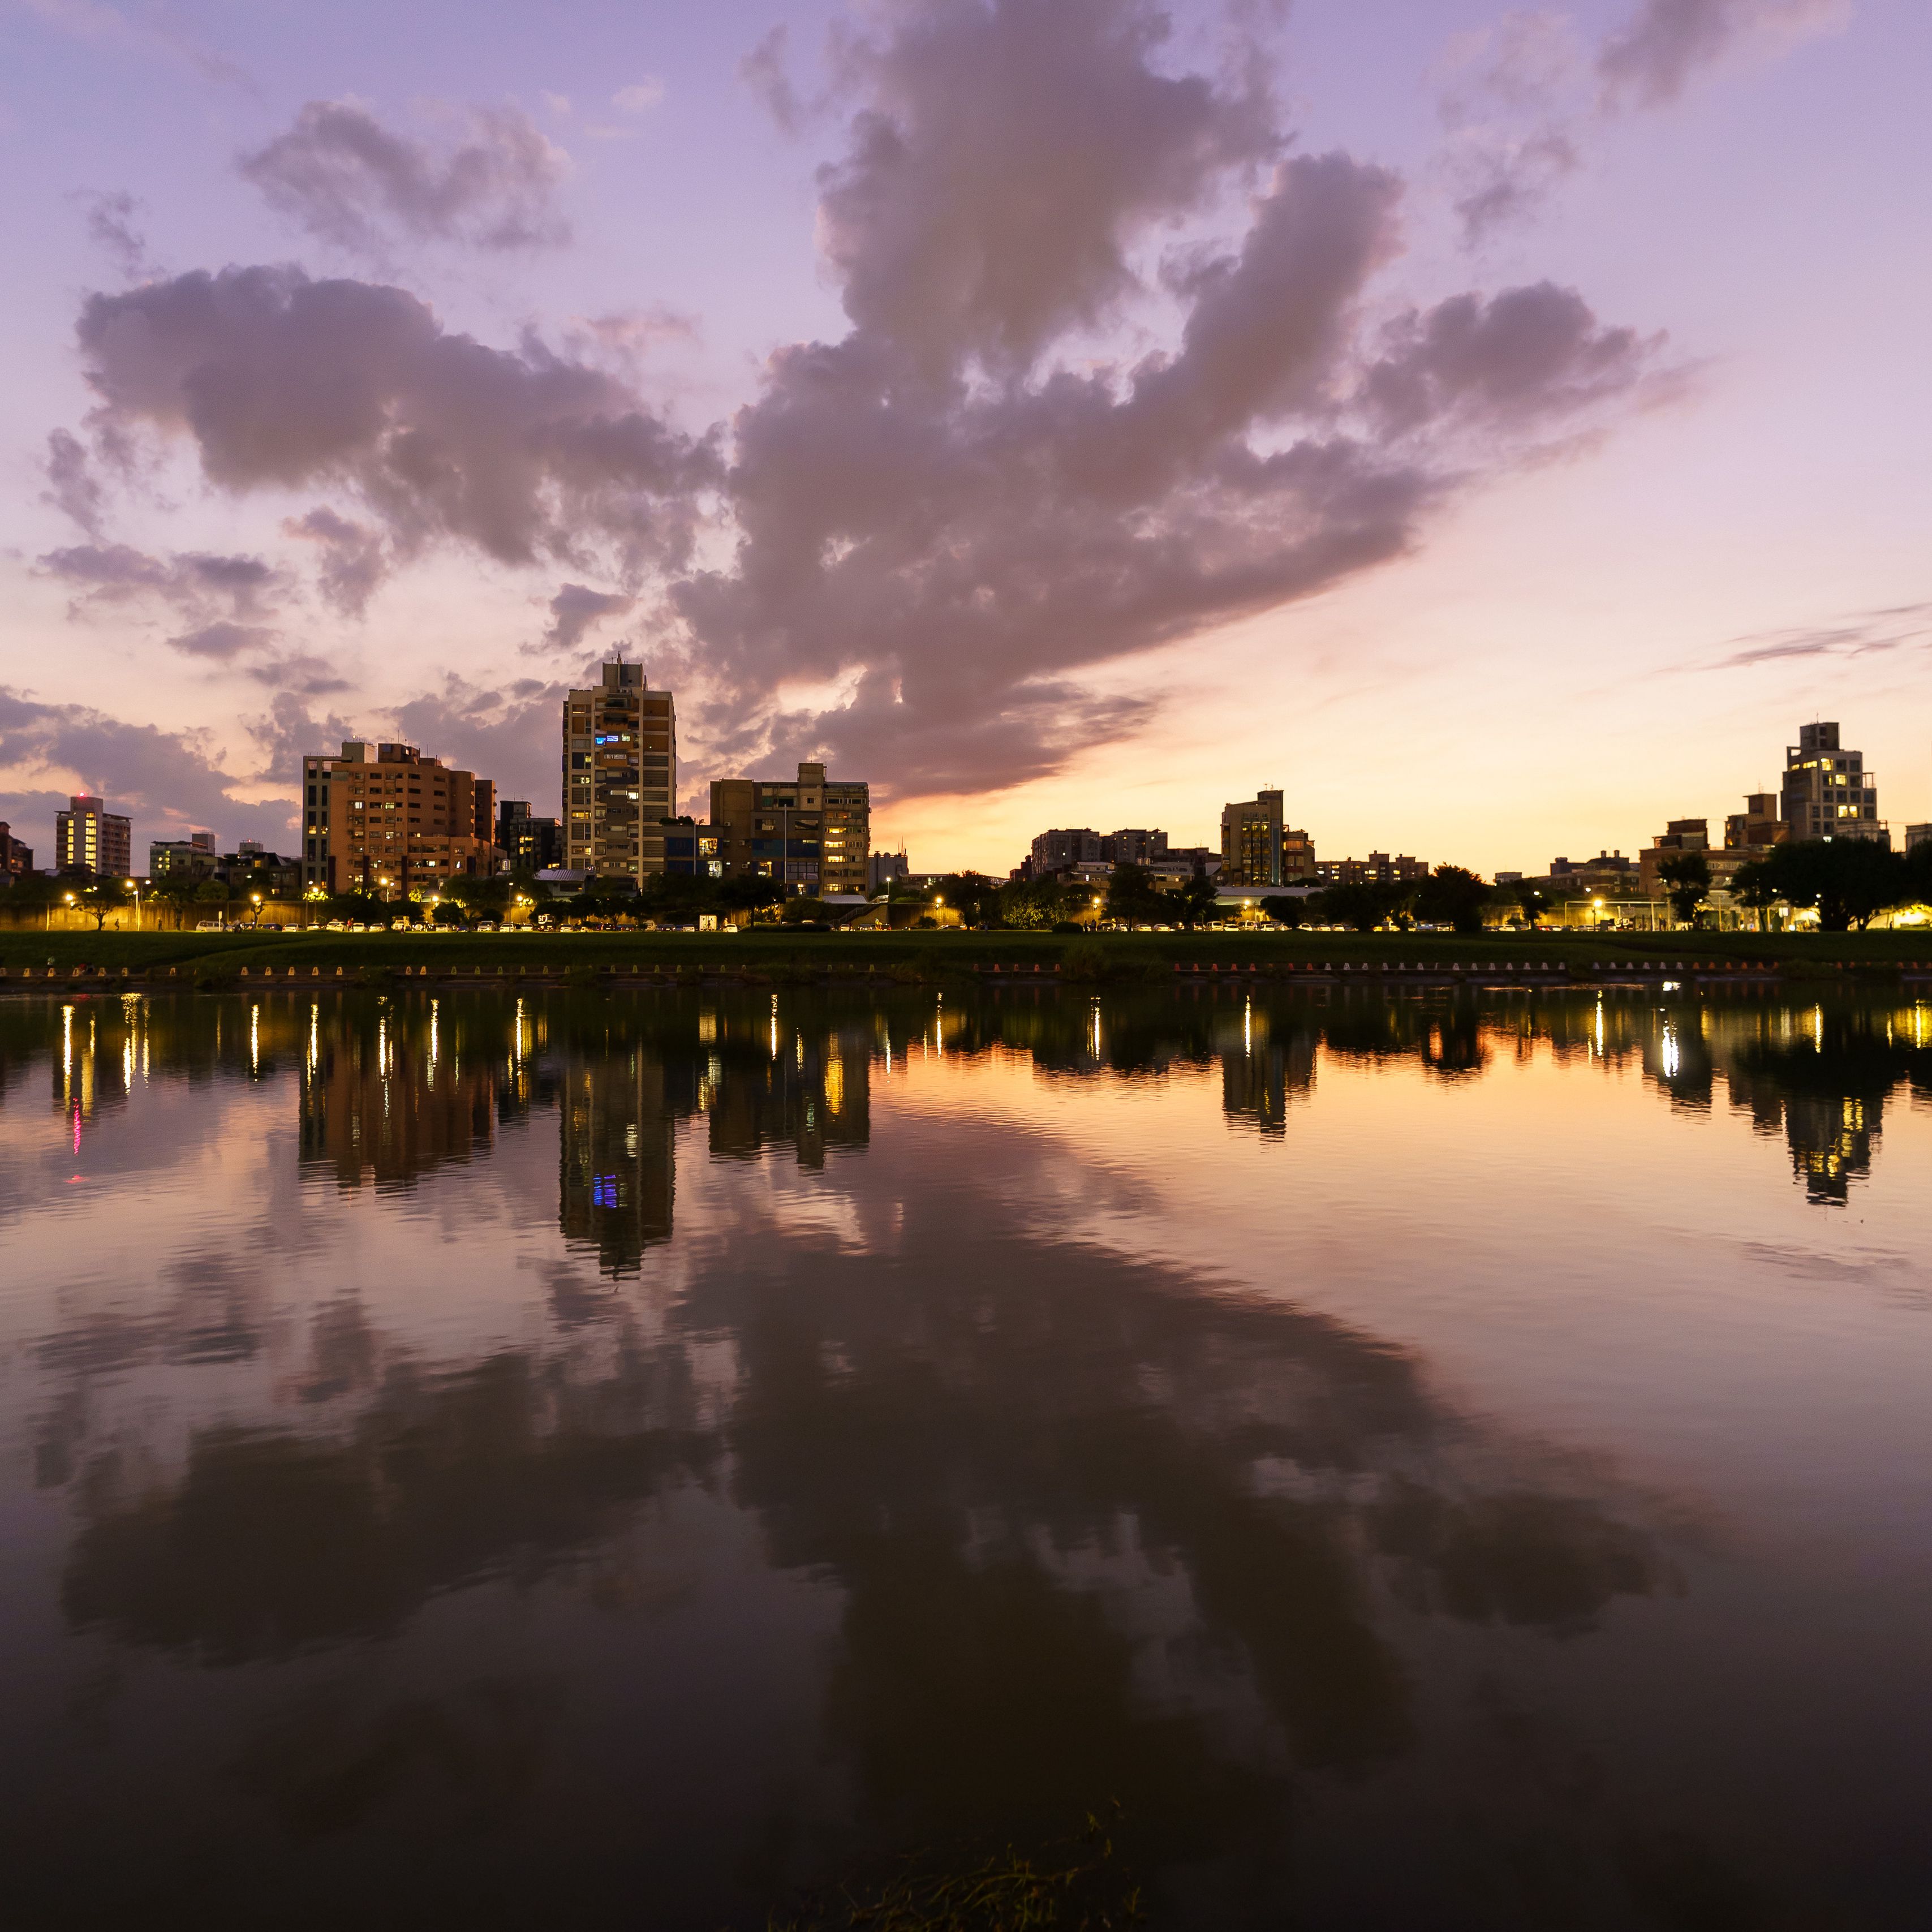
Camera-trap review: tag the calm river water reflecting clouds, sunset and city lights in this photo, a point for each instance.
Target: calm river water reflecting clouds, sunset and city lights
(635, 1460)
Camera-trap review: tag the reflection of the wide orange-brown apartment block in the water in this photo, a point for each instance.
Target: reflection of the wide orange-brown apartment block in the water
(387, 1102)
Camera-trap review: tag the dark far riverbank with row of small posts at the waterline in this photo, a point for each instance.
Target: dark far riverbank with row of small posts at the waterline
(774, 953)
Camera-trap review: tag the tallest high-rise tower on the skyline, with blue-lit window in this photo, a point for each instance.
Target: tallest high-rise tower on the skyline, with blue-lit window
(621, 776)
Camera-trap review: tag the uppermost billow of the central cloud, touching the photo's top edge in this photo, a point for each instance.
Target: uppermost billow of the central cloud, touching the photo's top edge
(1009, 156)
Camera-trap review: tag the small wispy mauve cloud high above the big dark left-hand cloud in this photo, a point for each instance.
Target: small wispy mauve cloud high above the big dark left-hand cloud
(345, 179)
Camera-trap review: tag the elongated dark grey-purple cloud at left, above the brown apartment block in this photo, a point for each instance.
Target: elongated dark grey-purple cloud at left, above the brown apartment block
(285, 384)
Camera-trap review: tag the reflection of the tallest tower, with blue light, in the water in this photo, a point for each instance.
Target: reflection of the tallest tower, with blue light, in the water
(619, 1164)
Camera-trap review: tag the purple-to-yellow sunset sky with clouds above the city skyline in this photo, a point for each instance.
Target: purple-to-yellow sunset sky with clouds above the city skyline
(1498, 428)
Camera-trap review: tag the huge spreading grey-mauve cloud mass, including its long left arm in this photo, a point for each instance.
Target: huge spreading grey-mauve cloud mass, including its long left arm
(932, 536)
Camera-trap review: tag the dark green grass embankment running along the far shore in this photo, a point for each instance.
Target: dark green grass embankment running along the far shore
(200, 957)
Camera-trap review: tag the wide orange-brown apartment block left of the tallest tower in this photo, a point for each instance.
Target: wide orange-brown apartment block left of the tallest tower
(393, 822)
